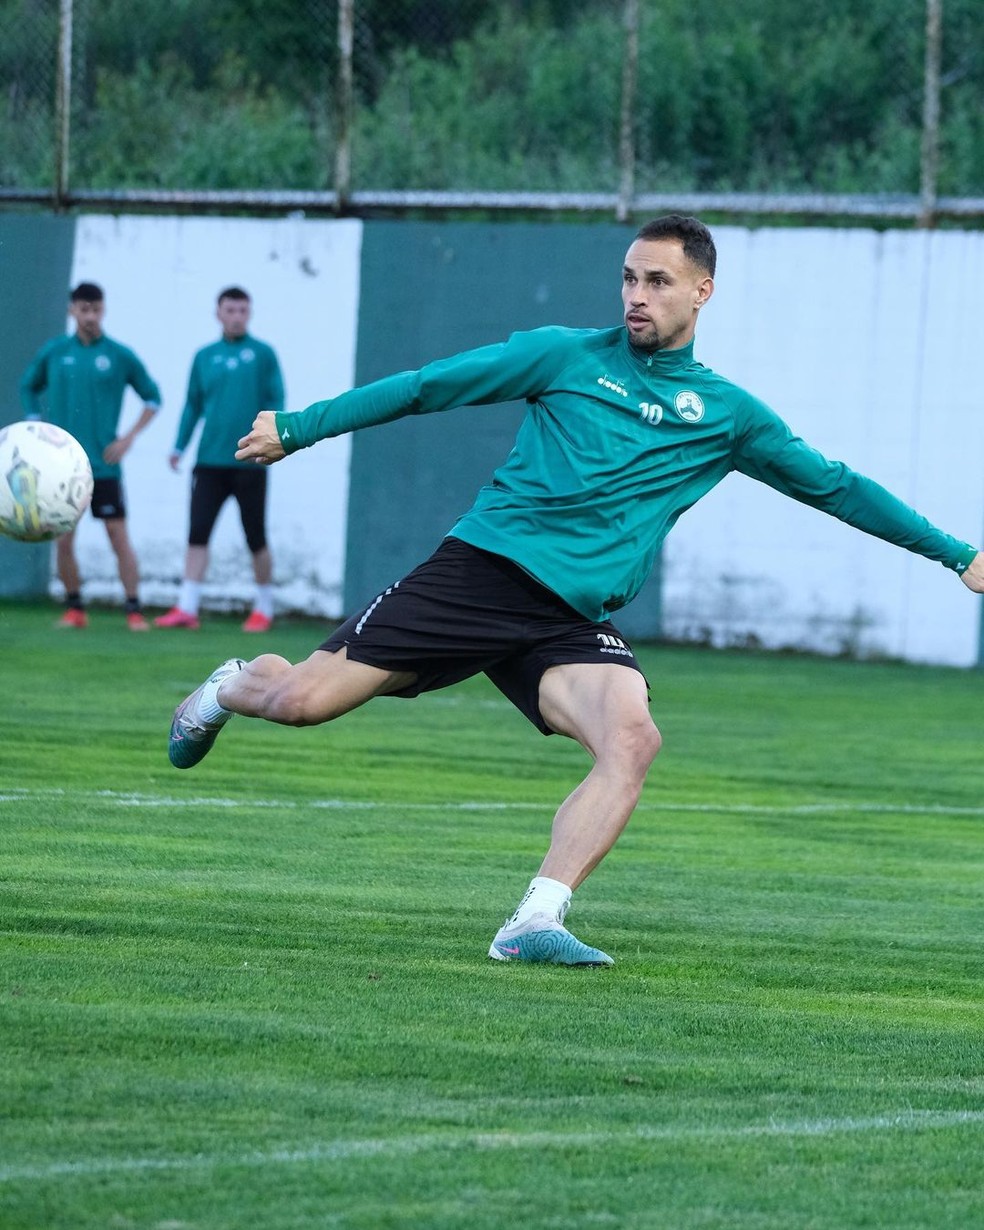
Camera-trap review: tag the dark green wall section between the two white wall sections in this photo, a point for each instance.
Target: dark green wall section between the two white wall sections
(431, 290)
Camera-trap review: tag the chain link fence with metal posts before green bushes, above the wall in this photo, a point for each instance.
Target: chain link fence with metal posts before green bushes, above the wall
(355, 106)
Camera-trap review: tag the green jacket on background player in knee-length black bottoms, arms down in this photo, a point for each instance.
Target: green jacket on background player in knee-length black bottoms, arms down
(231, 383)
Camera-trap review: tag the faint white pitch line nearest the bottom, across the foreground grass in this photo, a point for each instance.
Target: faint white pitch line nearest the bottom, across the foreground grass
(344, 1151)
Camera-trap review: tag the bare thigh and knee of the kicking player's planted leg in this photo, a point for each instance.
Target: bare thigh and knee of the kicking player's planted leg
(605, 707)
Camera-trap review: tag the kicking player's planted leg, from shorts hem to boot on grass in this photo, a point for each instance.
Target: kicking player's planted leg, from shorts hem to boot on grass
(606, 709)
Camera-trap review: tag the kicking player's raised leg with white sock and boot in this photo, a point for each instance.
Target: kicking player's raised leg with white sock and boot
(317, 691)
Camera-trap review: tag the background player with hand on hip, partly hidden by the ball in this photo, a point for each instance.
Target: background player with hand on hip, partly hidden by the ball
(84, 377)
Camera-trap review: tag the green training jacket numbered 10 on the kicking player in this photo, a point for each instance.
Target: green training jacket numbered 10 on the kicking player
(616, 446)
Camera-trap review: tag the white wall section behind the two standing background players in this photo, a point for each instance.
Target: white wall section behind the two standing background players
(162, 277)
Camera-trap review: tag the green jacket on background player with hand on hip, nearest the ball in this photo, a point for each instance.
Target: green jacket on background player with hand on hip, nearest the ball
(84, 387)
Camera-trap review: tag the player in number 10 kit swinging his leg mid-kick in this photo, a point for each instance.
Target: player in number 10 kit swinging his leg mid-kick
(624, 432)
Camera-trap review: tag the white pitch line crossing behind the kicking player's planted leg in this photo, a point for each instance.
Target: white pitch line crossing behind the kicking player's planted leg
(135, 799)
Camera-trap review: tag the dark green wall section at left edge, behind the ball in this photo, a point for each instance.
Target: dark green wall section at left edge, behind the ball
(36, 254)
